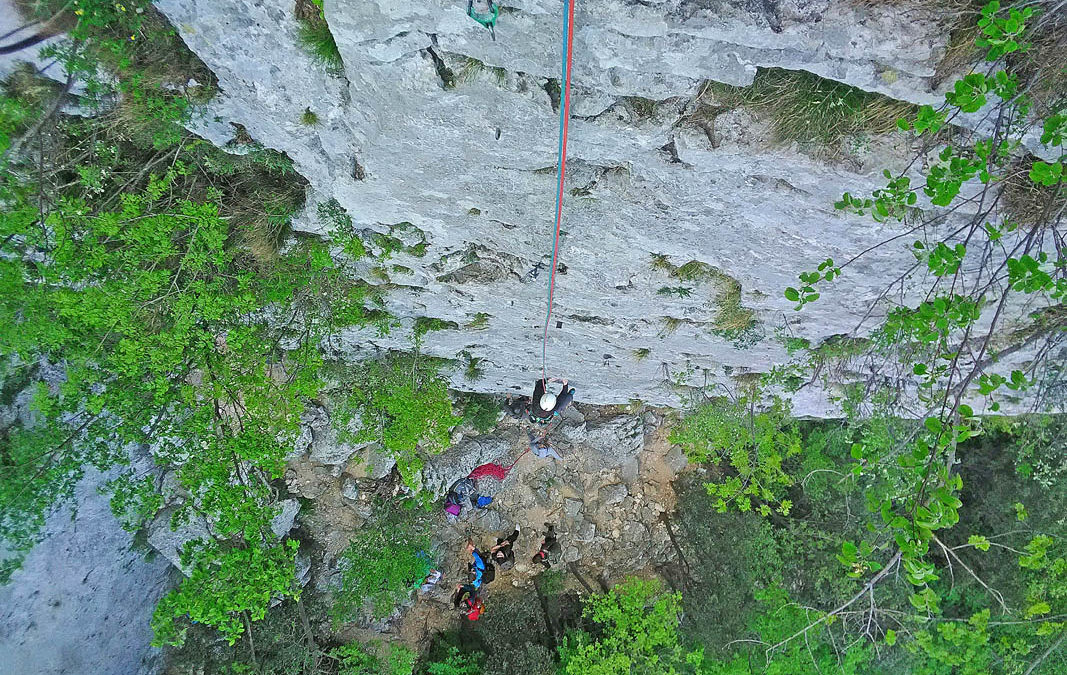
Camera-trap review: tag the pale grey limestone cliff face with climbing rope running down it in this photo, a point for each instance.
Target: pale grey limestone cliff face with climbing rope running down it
(436, 125)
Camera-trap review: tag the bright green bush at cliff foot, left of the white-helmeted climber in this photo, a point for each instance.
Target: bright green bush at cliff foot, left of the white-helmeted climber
(403, 403)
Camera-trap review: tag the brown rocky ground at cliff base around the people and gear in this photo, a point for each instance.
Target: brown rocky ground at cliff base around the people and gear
(608, 500)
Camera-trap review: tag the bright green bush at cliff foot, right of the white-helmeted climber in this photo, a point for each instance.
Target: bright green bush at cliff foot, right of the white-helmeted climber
(753, 448)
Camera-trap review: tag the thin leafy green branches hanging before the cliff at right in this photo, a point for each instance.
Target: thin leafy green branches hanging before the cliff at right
(909, 475)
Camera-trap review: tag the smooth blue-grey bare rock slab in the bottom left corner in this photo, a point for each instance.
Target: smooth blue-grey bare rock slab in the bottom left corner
(83, 602)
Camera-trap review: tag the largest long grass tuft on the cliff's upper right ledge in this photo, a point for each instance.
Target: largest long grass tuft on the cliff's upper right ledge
(811, 110)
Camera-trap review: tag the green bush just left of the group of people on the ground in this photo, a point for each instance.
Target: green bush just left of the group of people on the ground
(386, 561)
